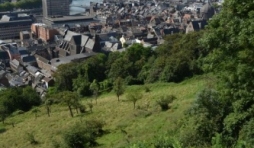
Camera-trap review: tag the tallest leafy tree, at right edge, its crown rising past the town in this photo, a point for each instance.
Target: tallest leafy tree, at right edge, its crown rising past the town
(231, 59)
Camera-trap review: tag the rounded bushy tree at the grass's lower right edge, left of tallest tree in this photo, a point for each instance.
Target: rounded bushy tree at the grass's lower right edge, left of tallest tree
(206, 113)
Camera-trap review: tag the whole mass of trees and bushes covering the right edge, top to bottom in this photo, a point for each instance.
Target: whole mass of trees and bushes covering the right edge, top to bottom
(225, 112)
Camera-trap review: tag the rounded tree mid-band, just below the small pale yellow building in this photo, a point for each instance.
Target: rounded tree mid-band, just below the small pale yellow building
(128, 64)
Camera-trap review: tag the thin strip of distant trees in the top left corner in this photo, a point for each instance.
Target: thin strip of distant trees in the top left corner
(20, 4)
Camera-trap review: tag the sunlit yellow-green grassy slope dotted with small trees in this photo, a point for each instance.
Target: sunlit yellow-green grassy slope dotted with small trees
(140, 124)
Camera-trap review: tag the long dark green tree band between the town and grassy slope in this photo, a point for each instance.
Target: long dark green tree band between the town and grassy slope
(173, 61)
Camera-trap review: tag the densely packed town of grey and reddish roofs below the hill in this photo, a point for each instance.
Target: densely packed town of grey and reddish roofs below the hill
(32, 46)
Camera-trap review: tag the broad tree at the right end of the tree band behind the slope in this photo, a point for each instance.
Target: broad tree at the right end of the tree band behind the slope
(177, 58)
